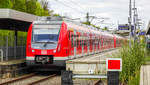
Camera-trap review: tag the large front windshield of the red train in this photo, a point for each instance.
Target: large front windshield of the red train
(45, 33)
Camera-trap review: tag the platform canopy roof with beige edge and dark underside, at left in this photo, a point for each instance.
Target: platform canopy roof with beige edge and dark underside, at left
(15, 20)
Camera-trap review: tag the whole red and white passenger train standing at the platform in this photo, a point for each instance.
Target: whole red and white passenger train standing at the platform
(52, 40)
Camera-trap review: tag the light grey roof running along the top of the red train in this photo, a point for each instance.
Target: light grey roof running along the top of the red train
(75, 25)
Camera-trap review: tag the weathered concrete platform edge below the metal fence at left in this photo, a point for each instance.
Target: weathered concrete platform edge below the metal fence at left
(13, 68)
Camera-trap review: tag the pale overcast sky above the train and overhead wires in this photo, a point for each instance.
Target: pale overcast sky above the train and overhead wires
(116, 10)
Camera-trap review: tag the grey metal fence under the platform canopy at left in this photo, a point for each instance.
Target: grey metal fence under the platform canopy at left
(9, 50)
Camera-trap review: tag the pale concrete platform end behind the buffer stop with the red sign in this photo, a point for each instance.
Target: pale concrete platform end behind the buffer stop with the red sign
(92, 64)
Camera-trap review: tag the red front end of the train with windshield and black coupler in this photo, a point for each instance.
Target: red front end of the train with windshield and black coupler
(43, 42)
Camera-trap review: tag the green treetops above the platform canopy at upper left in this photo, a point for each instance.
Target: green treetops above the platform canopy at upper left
(30, 6)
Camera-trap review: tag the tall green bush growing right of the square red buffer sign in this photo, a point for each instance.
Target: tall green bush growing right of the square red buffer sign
(133, 58)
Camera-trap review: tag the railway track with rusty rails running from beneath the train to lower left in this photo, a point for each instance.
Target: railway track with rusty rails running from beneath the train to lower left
(30, 79)
